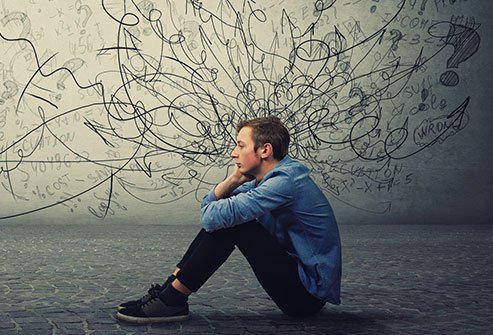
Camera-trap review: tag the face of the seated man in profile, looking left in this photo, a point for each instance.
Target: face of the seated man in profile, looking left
(246, 158)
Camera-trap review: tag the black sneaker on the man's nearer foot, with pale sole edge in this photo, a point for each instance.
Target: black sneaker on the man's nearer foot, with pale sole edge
(154, 310)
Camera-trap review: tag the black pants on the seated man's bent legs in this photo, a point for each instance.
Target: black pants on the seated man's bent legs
(274, 268)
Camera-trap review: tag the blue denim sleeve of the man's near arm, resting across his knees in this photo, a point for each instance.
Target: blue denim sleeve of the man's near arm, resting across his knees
(273, 193)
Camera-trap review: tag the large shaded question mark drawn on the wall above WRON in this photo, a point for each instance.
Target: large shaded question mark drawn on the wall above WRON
(466, 43)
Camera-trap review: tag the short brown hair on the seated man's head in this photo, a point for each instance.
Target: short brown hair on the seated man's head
(268, 129)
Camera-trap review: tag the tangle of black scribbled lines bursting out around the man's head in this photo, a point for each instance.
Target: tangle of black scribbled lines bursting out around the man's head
(222, 79)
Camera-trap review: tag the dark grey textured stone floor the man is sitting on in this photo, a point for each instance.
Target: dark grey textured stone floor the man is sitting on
(66, 279)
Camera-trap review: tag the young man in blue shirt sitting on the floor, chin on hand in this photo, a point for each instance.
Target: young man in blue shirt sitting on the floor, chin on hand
(278, 218)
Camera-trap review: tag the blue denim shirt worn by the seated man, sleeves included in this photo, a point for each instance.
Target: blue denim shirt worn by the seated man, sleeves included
(291, 207)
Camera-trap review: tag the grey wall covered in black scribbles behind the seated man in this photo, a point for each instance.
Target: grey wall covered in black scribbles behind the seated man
(126, 112)
